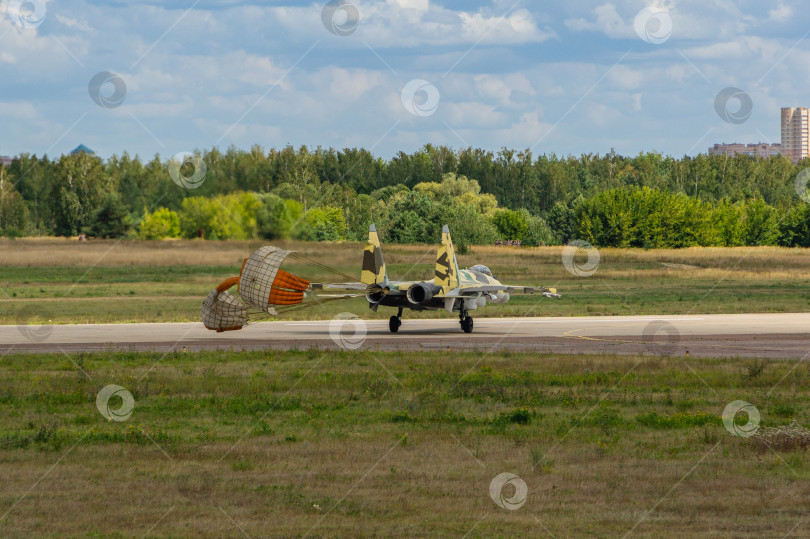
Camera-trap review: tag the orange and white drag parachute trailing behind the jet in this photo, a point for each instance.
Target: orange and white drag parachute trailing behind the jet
(263, 289)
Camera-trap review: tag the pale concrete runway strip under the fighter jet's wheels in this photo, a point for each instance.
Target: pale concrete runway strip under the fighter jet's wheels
(776, 336)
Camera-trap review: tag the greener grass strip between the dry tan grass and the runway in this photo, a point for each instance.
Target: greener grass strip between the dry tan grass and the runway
(174, 293)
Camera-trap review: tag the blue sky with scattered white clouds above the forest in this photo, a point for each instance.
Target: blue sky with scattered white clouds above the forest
(565, 77)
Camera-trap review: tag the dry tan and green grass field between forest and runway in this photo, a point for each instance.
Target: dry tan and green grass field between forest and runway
(105, 281)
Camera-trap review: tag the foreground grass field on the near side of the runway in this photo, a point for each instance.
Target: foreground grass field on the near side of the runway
(326, 444)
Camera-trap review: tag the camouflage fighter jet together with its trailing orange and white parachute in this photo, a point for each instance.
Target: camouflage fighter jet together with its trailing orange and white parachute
(264, 289)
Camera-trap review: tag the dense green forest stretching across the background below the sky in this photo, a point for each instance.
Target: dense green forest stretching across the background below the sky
(324, 194)
